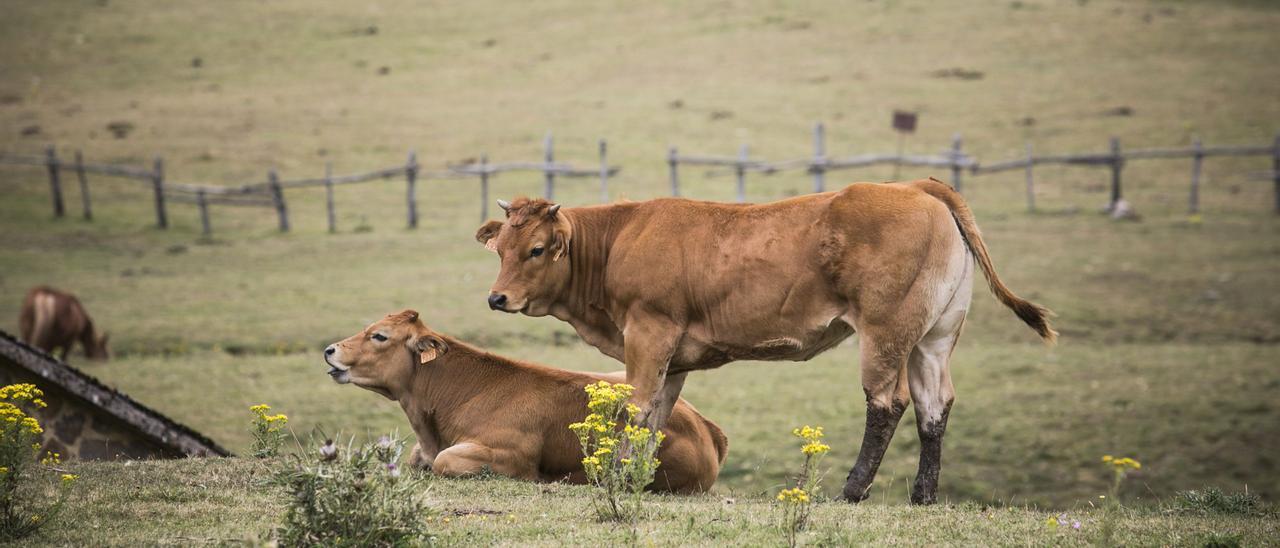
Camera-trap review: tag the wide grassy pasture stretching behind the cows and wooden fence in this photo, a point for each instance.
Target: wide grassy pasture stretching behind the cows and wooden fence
(1169, 327)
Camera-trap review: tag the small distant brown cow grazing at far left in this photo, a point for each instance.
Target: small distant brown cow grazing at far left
(52, 319)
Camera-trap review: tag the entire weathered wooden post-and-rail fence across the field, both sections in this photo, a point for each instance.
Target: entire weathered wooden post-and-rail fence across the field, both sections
(272, 193)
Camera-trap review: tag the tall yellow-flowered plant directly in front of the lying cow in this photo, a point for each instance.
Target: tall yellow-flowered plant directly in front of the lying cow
(619, 463)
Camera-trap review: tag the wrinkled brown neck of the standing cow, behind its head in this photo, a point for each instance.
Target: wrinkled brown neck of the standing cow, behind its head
(584, 304)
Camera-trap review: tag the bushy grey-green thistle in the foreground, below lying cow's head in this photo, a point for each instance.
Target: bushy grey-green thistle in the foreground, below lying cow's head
(356, 496)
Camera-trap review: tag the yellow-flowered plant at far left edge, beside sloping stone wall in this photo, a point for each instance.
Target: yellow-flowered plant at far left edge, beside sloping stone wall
(24, 481)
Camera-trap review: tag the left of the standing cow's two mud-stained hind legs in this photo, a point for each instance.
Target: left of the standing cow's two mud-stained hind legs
(884, 368)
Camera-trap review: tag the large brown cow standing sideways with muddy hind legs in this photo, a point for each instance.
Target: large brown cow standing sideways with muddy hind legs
(674, 286)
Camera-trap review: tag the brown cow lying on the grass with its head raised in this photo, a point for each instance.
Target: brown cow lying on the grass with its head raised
(473, 410)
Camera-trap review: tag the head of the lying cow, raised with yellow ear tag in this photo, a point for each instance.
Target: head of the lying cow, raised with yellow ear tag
(385, 357)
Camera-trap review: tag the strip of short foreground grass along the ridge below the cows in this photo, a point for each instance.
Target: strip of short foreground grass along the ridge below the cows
(223, 501)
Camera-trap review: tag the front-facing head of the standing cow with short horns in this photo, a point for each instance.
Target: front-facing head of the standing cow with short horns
(533, 245)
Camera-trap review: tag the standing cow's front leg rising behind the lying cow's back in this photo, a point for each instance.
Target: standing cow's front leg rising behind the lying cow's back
(650, 346)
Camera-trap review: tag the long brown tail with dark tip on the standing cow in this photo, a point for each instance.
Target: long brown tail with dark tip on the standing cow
(1032, 314)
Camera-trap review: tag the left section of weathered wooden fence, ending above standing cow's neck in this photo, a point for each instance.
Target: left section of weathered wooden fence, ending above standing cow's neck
(271, 194)
